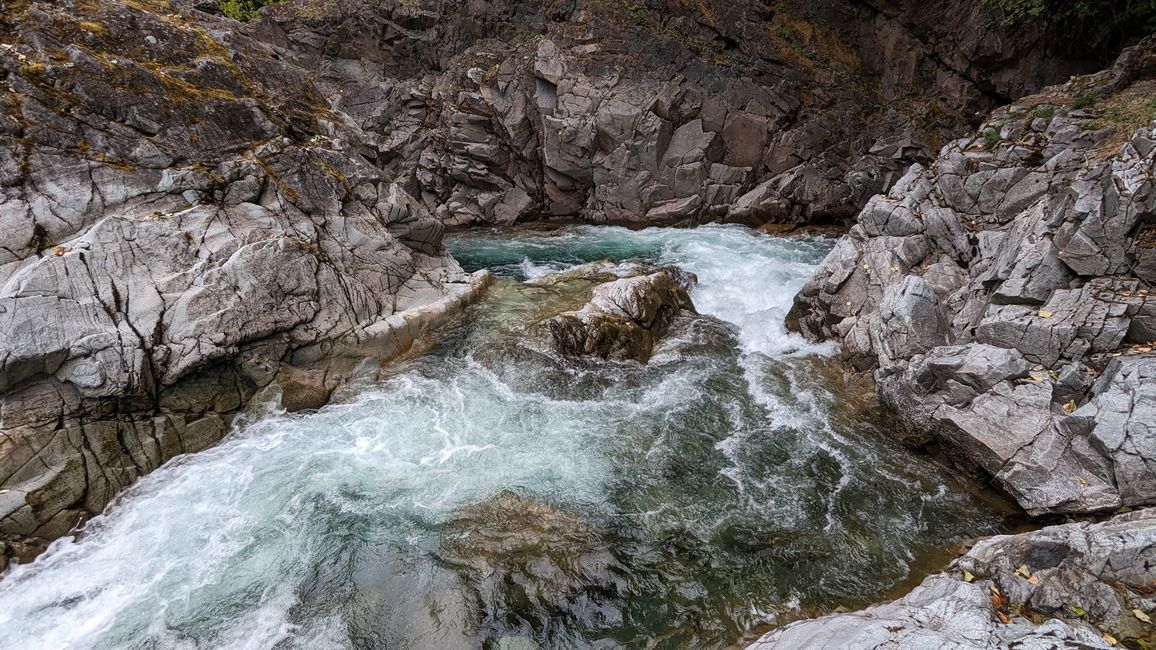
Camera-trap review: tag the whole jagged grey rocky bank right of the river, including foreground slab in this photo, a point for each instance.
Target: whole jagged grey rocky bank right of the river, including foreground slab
(1002, 296)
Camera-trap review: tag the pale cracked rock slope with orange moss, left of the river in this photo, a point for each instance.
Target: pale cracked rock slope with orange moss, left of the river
(184, 223)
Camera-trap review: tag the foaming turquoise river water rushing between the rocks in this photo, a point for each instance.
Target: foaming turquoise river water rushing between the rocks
(486, 497)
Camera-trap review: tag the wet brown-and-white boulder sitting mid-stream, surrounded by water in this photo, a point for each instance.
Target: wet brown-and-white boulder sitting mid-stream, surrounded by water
(625, 317)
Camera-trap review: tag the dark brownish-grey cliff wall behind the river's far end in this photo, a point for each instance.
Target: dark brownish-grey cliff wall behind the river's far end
(659, 113)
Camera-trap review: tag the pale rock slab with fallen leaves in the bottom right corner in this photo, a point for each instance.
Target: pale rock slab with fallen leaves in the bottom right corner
(1075, 586)
